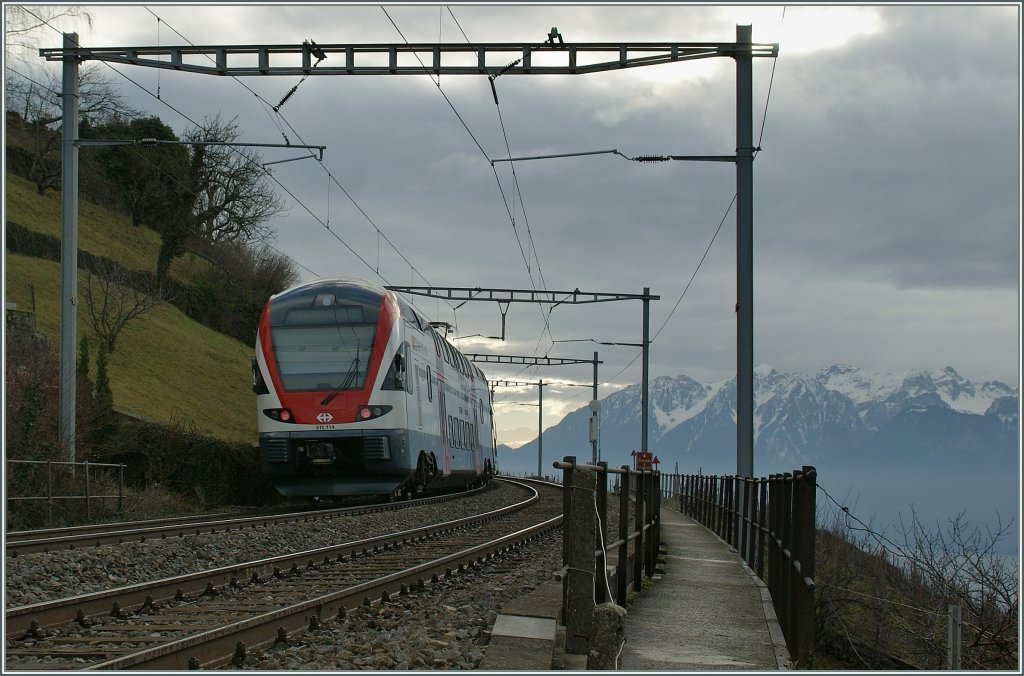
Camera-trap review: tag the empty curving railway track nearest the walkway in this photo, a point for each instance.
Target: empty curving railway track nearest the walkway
(209, 619)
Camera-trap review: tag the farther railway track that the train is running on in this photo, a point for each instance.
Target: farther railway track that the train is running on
(28, 542)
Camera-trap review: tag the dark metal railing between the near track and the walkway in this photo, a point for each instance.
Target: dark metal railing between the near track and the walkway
(589, 577)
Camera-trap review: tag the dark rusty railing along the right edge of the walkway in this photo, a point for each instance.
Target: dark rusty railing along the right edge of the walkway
(771, 523)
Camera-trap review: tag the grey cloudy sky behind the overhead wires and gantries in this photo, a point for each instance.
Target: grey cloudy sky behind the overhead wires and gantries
(887, 206)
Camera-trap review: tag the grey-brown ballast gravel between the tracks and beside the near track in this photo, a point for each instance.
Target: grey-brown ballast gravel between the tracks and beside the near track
(444, 626)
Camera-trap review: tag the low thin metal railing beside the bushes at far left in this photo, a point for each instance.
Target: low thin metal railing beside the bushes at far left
(65, 477)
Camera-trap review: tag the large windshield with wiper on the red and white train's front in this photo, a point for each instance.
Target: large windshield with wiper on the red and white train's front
(324, 346)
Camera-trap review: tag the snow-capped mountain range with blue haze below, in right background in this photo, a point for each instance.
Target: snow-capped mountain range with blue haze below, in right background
(920, 438)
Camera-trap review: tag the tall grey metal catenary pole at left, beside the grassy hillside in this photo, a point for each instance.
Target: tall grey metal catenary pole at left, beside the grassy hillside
(69, 247)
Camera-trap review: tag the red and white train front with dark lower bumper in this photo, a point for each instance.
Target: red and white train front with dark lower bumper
(328, 376)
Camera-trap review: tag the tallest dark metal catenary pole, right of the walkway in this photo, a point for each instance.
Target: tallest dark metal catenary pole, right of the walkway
(745, 255)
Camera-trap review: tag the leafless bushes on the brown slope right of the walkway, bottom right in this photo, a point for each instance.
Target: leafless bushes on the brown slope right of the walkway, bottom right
(882, 601)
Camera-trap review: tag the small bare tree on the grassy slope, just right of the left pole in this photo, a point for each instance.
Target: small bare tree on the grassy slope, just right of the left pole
(112, 303)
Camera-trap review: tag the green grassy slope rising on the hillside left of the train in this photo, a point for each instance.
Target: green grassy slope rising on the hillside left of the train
(166, 367)
